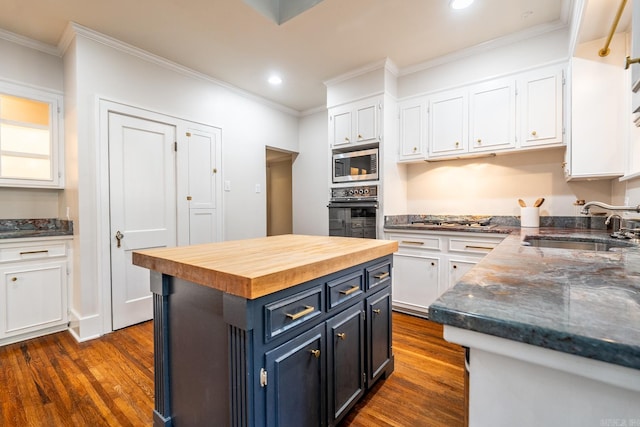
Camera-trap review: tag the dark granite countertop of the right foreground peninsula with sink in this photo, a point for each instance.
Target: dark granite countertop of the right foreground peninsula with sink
(581, 302)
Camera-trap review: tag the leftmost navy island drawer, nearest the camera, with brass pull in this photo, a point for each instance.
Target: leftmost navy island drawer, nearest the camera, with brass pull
(286, 314)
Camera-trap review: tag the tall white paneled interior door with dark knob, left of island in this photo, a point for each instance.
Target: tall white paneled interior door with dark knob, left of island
(142, 186)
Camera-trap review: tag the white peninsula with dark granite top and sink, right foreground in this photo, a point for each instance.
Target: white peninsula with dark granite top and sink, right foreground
(553, 334)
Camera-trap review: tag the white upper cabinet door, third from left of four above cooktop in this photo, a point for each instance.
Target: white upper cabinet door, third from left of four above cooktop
(492, 115)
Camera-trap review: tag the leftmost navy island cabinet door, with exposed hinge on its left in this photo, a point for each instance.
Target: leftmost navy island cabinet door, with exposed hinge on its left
(295, 389)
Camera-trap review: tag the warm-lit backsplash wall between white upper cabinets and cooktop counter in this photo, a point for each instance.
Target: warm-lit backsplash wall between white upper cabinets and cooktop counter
(492, 186)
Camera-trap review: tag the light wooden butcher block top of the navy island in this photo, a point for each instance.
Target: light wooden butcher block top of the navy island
(253, 268)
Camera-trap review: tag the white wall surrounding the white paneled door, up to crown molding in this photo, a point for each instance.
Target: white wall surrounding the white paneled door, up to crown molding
(95, 70)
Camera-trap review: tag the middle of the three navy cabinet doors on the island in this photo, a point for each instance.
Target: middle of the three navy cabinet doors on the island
(345, 363)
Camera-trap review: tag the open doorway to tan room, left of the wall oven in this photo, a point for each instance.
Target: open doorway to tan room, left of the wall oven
(279, 192)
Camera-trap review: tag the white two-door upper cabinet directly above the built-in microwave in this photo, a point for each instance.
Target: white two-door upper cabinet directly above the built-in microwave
(355, 123)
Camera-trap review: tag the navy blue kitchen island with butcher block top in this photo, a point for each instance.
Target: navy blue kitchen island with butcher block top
(276, 331)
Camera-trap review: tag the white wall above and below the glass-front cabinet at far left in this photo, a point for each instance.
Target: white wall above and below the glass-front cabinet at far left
(26, 66)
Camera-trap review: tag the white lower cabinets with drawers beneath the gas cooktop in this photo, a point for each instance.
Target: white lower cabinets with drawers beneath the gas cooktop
(430, 262)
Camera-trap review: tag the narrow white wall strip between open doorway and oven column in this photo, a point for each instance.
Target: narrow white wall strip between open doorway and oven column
(311, 177)
